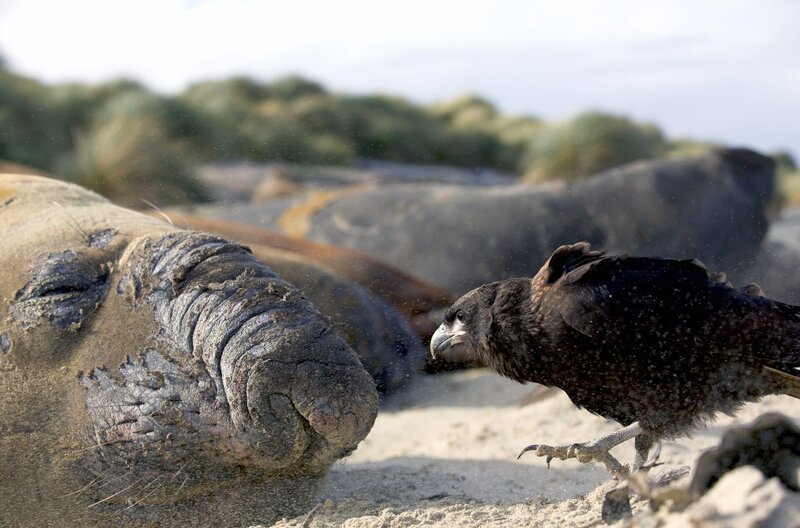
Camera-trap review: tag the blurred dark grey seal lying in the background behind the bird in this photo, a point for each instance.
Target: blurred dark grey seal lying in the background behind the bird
(712, 206)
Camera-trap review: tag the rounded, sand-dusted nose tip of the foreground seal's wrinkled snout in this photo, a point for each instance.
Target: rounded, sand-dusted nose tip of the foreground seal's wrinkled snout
(305, 402)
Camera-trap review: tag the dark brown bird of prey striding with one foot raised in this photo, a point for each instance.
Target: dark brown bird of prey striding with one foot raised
(659, 345)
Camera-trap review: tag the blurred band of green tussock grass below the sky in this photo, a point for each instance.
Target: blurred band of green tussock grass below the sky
(129, 143)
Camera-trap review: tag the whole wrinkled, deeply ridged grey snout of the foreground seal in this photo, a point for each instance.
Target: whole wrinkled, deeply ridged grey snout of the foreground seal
(293, 390)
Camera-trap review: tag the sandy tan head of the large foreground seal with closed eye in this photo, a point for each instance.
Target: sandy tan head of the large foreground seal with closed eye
(156, 376)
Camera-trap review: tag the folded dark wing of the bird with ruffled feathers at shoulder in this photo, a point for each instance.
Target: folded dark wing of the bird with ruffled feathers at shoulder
(667, 306)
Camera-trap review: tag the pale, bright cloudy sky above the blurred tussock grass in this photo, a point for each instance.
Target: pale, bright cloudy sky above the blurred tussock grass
(720, 70)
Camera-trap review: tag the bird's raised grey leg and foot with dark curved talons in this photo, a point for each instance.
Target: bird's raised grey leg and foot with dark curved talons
(597, 449)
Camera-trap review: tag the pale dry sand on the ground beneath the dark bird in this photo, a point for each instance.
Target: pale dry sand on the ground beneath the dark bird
(443, 453)
